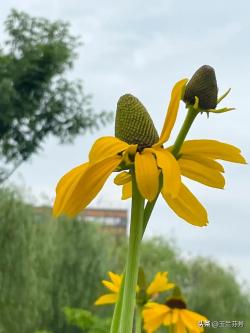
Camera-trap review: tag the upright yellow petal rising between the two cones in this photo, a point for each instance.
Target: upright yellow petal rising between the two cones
(172, 111)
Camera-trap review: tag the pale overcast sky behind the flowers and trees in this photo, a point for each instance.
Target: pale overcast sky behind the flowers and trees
(131, 46)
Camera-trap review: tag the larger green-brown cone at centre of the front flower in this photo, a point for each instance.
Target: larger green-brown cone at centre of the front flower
(133, 123)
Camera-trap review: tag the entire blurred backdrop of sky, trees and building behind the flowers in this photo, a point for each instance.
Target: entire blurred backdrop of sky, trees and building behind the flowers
(63, 66)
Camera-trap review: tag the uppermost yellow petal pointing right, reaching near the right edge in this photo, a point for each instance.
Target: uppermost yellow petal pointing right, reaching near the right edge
(213, 149)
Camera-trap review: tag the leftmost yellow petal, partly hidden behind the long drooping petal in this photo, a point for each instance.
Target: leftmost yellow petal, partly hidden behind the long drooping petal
(65, 187)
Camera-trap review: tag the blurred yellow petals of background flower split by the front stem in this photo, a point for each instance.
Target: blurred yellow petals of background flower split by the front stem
(159, 284)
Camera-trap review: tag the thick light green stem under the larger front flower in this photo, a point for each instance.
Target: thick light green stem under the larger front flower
(132, 266)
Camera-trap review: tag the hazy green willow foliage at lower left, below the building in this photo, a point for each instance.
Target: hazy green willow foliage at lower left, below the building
(45, 265)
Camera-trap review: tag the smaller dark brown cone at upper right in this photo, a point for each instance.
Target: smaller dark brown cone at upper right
(204, 86)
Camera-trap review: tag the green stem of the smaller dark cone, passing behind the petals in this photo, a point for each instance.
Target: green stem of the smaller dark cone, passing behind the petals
(190, 117)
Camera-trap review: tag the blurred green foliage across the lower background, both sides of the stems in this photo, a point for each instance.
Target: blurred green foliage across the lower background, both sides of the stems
(47, 265)
